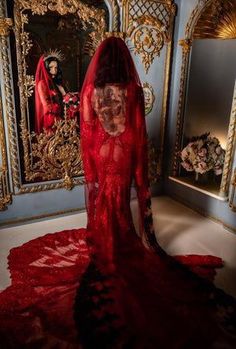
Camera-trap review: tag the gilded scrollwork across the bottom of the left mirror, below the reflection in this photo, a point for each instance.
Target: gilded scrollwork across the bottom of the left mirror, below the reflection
(57, 155)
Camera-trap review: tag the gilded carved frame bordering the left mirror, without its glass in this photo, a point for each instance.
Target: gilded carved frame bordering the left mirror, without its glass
(88, 14)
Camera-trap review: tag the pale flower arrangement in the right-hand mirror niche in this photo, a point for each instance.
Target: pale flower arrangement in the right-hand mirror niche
(202, 154)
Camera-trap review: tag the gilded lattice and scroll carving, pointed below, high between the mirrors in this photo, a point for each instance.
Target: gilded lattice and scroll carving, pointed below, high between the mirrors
(149, 26)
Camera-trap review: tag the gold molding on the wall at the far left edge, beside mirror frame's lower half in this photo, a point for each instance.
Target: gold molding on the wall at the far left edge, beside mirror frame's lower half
(5, 195)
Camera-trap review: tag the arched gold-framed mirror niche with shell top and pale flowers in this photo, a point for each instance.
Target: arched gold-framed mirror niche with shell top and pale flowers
(206, 117)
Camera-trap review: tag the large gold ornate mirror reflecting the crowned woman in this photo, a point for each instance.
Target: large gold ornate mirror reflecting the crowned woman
(73, 29)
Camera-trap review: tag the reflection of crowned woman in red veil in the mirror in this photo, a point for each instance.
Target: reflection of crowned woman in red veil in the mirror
(49, 92)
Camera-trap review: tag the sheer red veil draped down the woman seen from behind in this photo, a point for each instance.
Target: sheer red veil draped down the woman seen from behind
(113, 64)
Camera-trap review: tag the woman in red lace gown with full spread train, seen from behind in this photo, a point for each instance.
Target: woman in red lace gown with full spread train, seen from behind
(100, 287)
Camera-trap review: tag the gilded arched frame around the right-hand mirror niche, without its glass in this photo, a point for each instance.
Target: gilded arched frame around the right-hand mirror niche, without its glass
(186, 44)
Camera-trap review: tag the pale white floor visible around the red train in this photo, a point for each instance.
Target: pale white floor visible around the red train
(179, 230)
